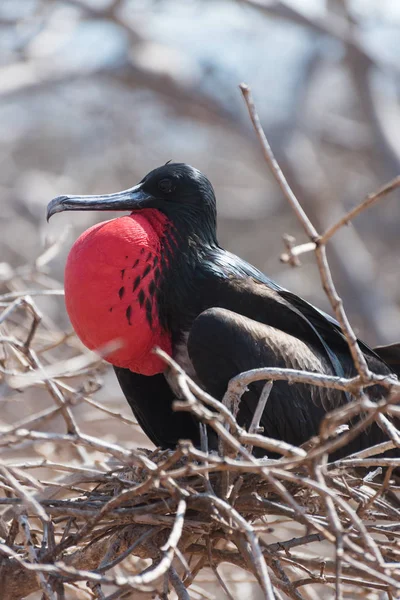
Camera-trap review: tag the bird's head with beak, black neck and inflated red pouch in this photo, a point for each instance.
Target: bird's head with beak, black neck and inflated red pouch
(118, 272)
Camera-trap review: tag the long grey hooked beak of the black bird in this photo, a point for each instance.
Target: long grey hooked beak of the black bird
(126, 200)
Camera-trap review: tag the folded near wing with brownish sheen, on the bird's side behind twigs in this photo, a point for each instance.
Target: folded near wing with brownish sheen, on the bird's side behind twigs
(223, 343)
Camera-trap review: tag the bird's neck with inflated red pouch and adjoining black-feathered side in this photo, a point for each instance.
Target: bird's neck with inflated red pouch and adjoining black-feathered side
(131, 279)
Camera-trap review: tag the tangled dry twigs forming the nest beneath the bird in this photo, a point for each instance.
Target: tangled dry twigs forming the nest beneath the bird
(189, 508)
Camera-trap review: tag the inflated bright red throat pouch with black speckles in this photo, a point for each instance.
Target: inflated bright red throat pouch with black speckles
(111, 277)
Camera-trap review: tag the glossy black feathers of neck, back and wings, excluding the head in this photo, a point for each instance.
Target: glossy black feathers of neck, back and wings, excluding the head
(203, 276)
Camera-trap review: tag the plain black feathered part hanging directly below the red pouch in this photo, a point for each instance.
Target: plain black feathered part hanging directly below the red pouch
(150, 399)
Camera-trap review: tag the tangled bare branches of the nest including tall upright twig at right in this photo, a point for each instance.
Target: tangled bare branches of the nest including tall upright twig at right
(100, 519)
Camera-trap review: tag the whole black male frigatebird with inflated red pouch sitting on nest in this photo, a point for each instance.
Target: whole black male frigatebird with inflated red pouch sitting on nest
(158, 277)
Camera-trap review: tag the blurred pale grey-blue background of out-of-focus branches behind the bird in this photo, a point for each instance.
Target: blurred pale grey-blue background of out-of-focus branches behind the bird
(95, 93)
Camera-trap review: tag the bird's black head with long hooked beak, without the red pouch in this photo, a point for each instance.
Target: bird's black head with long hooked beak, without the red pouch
(178, 190)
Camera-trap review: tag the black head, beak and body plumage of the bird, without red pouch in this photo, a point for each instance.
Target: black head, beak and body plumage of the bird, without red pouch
(225, 317)
